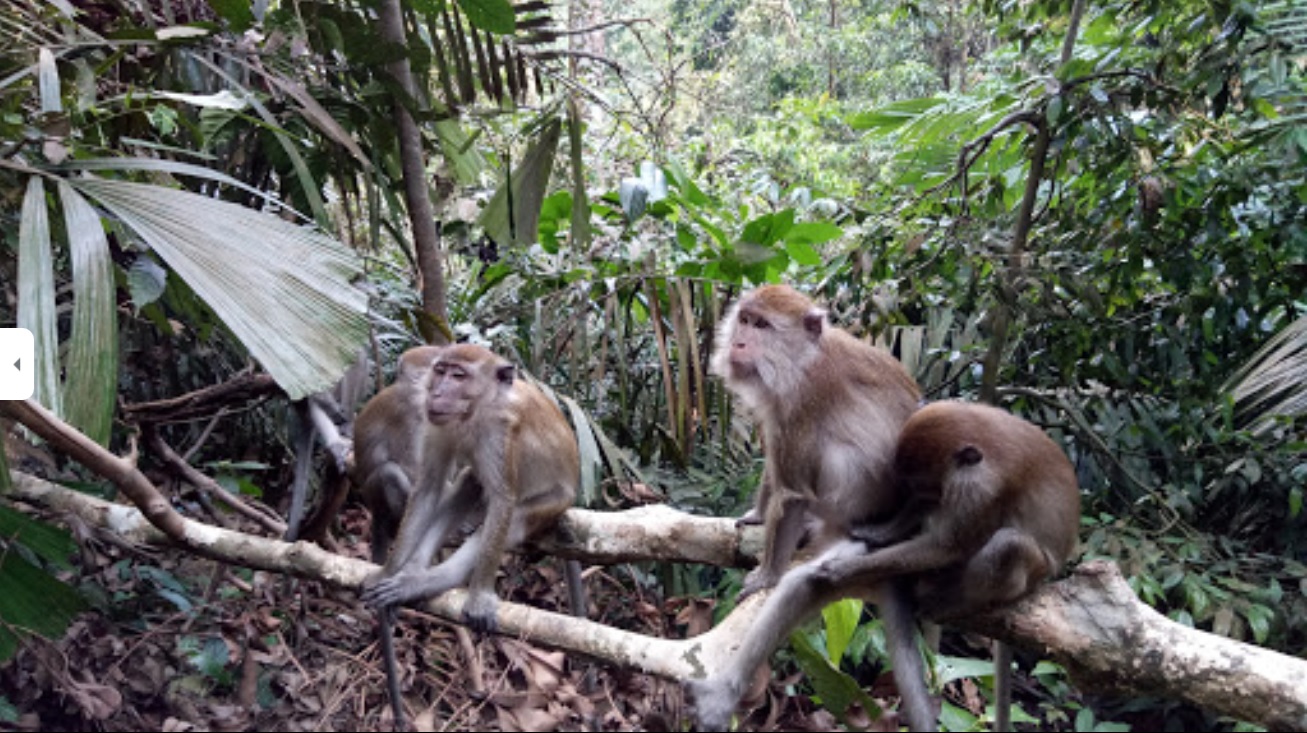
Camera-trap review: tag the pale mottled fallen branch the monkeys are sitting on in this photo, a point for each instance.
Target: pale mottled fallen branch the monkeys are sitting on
(1091, 623)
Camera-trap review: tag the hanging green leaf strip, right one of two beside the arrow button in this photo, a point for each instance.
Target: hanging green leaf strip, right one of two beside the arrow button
(92, 369)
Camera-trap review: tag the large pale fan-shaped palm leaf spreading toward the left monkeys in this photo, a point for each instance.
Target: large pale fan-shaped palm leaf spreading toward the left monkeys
(284, 291)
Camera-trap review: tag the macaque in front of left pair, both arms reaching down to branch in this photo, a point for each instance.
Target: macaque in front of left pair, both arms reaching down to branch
(514, 466)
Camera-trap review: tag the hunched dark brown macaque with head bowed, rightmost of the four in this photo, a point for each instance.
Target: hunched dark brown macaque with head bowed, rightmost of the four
(993, 512)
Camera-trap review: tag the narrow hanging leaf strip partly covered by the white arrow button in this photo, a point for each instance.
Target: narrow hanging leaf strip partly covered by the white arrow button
(37, 293)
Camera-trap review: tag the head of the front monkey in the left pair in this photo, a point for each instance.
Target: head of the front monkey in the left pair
(465, 378)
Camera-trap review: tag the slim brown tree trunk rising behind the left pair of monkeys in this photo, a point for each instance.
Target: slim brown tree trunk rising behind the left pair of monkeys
(427, 237)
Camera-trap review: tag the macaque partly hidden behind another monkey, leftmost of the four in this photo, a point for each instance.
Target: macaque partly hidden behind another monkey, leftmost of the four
(389, 436)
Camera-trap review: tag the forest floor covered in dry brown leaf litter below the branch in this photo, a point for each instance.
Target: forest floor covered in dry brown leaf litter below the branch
(184, 643)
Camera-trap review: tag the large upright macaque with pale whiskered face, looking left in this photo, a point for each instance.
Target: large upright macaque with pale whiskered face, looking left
(831, 410)
